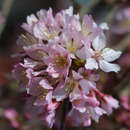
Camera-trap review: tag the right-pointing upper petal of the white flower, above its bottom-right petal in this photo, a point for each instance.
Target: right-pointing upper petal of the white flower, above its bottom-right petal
(110, 54)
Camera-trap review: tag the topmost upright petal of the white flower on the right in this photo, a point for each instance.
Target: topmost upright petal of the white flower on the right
(99, 42)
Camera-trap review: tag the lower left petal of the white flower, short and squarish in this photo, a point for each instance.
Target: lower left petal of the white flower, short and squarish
(91, 64)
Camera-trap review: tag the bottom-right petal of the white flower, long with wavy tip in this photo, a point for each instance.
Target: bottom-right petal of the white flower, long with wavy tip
(108, 67)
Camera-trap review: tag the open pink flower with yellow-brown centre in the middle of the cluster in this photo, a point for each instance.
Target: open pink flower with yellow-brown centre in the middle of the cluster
(59, 60)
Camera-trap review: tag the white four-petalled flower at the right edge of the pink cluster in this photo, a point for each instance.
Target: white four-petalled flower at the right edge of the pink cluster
(100, 56)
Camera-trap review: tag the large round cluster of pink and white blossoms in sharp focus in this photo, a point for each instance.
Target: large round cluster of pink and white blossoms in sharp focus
(59, 59)
